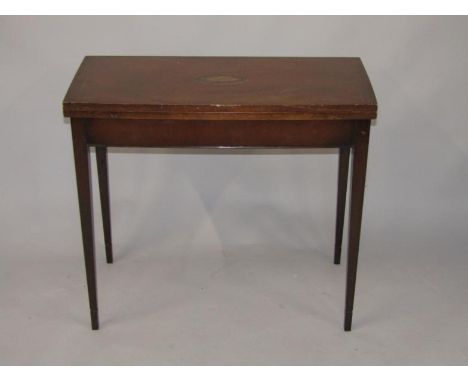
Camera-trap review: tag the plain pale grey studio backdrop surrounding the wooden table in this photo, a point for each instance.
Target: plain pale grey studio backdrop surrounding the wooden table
(227, 259)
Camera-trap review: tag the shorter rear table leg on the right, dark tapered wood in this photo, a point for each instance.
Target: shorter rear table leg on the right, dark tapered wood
(341, 200)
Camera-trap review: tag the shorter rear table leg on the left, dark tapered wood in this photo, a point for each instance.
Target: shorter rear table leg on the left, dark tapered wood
(103, 176)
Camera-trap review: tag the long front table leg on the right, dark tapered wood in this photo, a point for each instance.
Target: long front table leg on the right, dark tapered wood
(358, 179)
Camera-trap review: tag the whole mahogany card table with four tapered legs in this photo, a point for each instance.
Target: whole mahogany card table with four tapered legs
(229, 102)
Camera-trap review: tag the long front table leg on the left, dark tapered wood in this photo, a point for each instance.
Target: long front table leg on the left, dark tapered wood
(83, 180)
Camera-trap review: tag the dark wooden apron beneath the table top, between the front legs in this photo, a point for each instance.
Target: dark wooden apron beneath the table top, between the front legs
(222, 133)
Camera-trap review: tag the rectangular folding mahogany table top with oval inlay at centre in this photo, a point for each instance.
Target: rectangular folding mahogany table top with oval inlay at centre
(220, 88)
